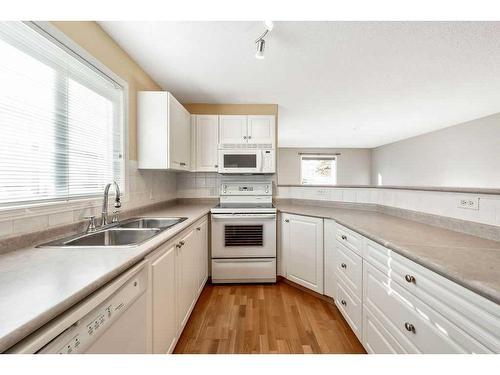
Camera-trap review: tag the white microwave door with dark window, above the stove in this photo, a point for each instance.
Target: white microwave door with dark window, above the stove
(240, 161)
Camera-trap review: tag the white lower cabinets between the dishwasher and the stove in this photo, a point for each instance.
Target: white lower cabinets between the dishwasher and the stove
(179, 270)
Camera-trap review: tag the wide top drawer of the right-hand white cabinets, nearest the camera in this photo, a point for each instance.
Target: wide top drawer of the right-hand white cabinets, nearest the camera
(472, 313)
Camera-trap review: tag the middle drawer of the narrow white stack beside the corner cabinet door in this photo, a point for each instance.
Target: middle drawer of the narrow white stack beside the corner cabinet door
(349, 266)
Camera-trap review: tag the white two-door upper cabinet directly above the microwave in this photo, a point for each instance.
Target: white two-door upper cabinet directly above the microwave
(243, 129)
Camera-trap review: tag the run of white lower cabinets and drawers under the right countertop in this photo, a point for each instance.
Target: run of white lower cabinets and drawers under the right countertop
(393, 304)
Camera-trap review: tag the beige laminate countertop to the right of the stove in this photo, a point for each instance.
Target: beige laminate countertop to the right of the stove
(470, 261)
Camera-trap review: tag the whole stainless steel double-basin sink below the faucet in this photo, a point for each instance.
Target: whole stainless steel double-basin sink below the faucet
(130, 232)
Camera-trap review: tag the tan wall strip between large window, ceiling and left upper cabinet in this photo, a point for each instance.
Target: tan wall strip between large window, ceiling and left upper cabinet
(98, 43)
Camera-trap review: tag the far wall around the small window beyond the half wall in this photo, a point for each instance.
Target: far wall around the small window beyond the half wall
(353, 165)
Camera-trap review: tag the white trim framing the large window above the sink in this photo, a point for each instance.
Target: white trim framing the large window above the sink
(57, 37)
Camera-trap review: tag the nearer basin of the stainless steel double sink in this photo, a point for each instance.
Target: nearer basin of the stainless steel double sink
(107, 237)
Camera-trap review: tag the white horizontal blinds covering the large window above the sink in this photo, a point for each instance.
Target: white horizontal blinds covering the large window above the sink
(61, 121)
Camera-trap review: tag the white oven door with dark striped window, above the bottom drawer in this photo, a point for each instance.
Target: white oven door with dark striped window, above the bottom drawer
(243, 235)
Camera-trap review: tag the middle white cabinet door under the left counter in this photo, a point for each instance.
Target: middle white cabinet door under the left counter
(186, 277)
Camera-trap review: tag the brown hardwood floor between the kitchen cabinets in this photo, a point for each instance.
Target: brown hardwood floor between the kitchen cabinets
(265, 319)
